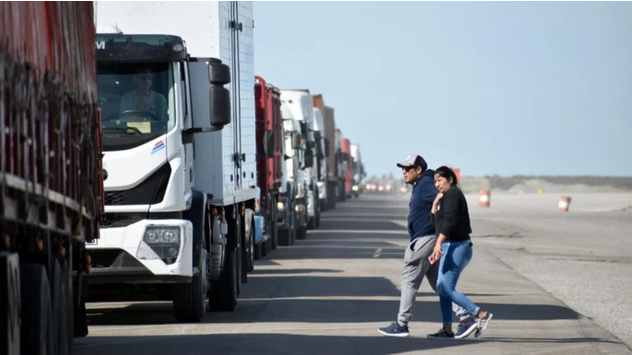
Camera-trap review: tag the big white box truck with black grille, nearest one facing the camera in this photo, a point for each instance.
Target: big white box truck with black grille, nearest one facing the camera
(176, 90)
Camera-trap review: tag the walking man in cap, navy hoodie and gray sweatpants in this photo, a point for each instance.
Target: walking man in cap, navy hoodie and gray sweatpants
(422, 242)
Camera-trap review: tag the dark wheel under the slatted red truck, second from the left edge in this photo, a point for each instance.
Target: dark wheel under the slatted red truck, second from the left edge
(37, 335)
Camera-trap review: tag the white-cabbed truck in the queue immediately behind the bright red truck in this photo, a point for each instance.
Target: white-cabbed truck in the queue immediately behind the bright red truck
(291, 208)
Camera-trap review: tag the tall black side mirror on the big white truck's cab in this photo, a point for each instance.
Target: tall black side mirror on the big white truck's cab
(219, 96)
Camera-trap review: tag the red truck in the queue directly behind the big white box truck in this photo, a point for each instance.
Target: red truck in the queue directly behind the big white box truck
(269, 161)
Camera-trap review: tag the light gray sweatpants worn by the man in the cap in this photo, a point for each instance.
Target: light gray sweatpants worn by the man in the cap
(418, 265)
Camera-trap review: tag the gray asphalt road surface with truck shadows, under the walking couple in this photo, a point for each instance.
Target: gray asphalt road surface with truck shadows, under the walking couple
(328, 294)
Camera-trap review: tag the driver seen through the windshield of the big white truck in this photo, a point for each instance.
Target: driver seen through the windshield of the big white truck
(143, 98)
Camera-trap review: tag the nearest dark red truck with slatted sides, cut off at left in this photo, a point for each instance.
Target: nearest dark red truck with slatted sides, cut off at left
(51, 185)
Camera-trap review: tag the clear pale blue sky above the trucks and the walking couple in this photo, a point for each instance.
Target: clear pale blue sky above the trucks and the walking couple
(491, 88)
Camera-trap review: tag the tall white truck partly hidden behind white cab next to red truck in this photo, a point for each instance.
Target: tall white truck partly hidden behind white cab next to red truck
(301, 105)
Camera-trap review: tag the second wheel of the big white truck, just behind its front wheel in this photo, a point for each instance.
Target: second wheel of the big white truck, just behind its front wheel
(223, 293)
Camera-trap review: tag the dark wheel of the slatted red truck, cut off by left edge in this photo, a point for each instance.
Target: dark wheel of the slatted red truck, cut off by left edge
(10, 305)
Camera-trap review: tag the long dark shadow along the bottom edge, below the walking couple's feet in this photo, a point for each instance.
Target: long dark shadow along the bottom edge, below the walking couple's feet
(235, 344)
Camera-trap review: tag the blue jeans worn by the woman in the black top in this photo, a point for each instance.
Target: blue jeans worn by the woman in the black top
(456, 256)
